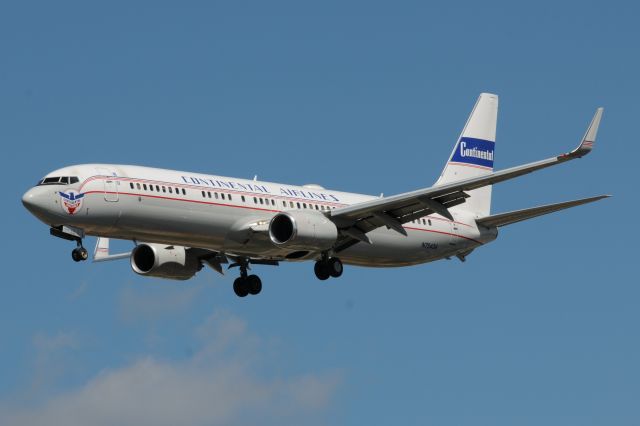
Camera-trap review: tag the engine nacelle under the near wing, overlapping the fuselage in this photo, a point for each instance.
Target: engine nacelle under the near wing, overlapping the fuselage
(302, 230)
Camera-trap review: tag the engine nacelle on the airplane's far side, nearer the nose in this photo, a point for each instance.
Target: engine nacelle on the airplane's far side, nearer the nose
(163, 261)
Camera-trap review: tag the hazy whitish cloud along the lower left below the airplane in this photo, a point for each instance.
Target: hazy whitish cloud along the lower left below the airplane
(219, 384)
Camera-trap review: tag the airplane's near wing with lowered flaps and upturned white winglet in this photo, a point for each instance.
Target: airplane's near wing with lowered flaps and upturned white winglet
(356, 220)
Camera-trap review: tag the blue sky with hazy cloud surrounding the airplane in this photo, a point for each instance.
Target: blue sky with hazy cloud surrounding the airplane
(539, 327)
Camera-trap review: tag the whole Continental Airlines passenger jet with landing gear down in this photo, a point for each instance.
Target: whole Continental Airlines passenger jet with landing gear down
(181, 221)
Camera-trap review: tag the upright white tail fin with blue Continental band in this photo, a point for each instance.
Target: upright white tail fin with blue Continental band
(472, 155)
